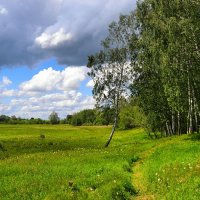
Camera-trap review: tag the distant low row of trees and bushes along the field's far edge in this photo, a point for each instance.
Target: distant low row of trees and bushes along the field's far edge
(130, 117)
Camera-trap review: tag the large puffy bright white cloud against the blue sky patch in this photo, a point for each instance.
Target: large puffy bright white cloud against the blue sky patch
(50, 79)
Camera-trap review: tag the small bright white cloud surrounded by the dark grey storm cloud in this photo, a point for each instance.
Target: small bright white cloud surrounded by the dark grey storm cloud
(48, 40)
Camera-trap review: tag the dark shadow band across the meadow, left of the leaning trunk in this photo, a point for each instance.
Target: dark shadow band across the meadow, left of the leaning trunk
(26, 146)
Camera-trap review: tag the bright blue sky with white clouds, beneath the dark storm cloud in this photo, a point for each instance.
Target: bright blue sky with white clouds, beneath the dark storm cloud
(17, 99)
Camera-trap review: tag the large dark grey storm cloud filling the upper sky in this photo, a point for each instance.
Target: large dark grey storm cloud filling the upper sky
(33, 30)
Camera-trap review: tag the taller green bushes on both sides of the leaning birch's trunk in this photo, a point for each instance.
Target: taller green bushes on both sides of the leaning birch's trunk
(130, 116)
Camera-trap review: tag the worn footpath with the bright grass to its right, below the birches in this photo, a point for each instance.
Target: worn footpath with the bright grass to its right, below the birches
(168, 169)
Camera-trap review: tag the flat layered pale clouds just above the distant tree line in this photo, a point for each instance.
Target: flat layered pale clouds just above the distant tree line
(64, 103)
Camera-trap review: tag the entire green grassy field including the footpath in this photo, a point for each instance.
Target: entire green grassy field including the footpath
(64, 162)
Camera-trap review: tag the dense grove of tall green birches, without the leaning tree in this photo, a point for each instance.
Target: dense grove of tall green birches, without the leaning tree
(167, 68)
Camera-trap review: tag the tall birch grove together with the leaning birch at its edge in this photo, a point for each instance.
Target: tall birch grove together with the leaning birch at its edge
(153, 55)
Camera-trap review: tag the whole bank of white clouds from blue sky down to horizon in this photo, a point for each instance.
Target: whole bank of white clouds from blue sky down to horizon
(47, 91)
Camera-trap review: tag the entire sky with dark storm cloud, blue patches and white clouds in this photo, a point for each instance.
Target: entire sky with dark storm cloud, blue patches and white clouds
(44, 47)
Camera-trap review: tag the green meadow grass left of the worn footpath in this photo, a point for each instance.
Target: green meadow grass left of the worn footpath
(36, 168)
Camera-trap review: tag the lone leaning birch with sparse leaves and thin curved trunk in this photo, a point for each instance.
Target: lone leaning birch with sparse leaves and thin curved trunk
(111, 68)
